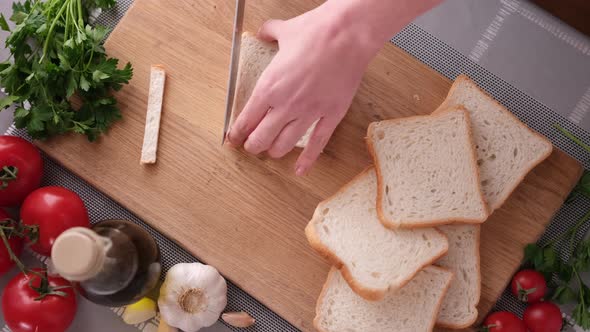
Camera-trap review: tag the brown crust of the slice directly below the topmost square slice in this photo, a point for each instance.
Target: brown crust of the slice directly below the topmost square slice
(370, 294)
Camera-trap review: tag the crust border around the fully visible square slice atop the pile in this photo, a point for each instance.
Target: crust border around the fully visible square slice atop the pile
(380, 188)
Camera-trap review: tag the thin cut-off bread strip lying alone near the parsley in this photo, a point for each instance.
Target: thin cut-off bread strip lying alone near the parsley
(154, 113)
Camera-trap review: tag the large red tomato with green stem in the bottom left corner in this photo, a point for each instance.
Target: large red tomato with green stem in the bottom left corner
(24, 312)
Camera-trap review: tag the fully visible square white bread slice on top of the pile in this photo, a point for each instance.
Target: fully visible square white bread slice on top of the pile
(426, 169)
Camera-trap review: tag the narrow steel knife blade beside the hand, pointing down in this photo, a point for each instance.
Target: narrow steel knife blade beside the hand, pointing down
(233, 66)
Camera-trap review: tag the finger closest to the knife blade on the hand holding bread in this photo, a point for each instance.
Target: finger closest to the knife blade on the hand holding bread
(249, 118)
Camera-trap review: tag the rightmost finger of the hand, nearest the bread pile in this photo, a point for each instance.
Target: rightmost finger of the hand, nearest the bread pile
(317, 142)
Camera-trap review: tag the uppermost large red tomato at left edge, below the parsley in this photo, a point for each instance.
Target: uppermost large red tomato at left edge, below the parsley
(21, 170)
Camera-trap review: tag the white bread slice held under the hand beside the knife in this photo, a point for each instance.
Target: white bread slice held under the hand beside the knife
(255, 56)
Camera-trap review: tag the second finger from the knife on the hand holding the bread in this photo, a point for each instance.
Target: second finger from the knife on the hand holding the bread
(266, 132)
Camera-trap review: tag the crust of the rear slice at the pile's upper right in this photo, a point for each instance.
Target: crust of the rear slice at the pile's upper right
(464, 78)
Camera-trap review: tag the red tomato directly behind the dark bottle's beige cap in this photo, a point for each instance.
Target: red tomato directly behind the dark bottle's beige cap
(54, 209)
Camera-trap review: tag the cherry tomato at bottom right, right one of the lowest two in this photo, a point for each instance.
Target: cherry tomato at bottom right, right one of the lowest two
(543, 317)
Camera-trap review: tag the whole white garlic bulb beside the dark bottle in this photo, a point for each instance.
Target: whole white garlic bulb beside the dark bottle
(192, 296)
